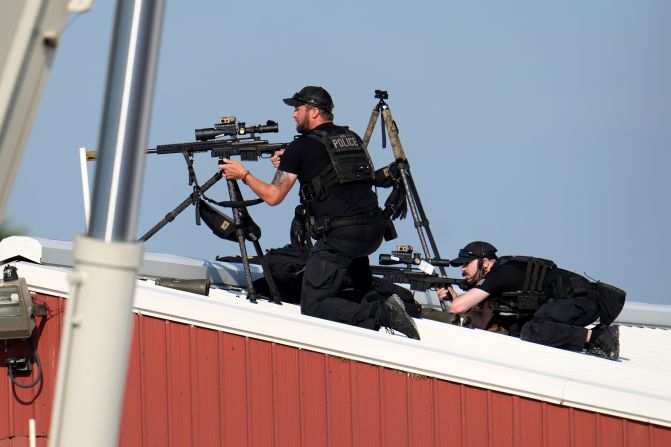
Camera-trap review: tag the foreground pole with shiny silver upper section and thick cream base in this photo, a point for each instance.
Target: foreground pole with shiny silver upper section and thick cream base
(96, 333)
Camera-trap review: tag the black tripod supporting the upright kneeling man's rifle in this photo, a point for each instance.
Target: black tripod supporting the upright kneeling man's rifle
(244, 225)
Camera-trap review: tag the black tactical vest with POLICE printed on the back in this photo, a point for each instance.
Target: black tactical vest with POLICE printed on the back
(350, 163)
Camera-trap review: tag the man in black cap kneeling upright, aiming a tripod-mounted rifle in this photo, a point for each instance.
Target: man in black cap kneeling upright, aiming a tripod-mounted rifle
(336, 176)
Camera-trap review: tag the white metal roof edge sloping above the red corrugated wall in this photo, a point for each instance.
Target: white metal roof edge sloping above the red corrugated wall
(491, 361)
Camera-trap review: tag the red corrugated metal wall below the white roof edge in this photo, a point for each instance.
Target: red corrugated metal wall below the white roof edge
(189, 386)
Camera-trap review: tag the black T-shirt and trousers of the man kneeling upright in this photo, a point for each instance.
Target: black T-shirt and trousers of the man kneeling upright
(349, 227)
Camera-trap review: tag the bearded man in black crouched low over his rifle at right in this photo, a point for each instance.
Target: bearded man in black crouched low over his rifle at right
(551, 306)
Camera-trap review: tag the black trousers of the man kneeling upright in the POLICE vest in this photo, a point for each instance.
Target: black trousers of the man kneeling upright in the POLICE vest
(342, 252)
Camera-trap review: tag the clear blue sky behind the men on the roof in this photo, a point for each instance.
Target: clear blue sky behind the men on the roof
(540, 127)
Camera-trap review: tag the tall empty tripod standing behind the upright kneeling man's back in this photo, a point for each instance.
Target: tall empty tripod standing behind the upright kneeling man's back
(412, 196)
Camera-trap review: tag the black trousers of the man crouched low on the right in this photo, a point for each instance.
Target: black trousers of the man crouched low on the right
(561, 323)
